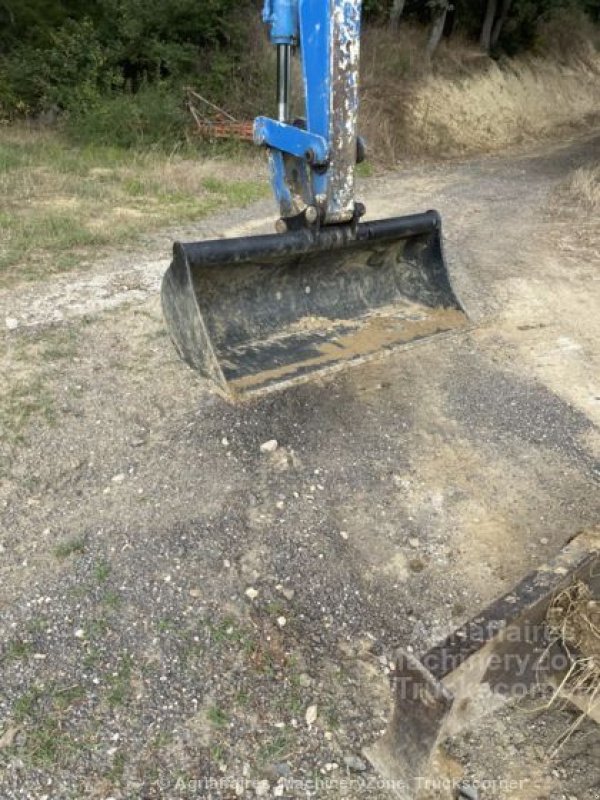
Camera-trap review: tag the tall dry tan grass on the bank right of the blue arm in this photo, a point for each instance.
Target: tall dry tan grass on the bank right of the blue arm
(466, 103)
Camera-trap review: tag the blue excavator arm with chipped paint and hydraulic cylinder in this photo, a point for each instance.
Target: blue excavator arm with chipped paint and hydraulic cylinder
(312, 162)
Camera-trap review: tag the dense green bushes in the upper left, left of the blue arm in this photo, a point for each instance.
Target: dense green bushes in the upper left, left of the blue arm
(73, 54)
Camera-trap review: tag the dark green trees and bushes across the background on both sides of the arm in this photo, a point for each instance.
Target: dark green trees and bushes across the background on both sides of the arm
(115, 68)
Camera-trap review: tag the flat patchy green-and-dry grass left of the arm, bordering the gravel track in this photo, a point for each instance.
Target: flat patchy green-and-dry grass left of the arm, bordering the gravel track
(61, 205)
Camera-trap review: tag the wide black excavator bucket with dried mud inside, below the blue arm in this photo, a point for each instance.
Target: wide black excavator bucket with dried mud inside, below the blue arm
(256, 314)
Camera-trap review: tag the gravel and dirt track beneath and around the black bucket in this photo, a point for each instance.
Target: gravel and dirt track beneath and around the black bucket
(173, 600)
